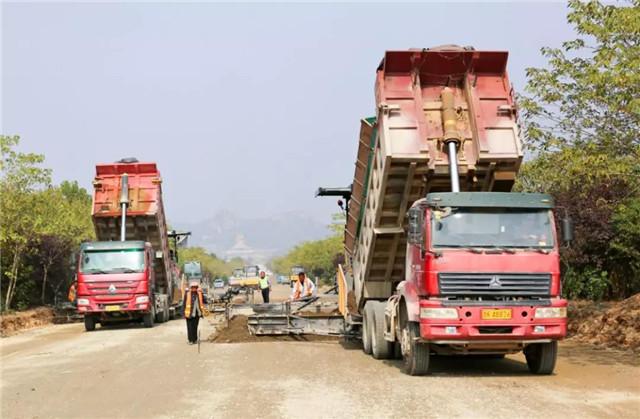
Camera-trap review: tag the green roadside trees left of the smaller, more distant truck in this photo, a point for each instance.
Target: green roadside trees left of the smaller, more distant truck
(40, 226)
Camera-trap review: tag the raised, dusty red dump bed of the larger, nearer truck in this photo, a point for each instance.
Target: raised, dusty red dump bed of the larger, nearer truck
(402, 152)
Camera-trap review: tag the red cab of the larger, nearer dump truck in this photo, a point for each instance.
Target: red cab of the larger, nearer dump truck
(485, 275)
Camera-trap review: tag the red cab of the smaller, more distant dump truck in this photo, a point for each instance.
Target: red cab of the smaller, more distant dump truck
(116, 282)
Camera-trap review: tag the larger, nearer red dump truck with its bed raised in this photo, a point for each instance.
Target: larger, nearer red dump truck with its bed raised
(441, 257)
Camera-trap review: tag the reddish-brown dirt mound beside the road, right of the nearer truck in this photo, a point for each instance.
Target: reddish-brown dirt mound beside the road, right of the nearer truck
(611, 325)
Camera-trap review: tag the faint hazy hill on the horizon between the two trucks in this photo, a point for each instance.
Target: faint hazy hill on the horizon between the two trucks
(264, 236)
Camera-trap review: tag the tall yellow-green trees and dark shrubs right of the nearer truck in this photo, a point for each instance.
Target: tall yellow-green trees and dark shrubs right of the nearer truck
(581, 120)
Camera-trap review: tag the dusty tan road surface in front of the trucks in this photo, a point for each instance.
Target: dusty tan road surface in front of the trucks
(132, 372)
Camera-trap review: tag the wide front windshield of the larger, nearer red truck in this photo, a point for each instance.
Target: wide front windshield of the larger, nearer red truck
(491, 227)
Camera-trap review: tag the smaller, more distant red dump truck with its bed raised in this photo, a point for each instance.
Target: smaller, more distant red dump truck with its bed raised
(131, 273)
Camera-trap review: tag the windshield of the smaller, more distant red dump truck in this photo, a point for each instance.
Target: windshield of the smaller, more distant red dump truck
(112, 261)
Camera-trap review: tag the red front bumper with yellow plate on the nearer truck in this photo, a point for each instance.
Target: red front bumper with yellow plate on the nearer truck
(471, 326)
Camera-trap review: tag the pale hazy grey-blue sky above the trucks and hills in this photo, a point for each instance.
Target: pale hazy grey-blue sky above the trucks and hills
(244, 107)
